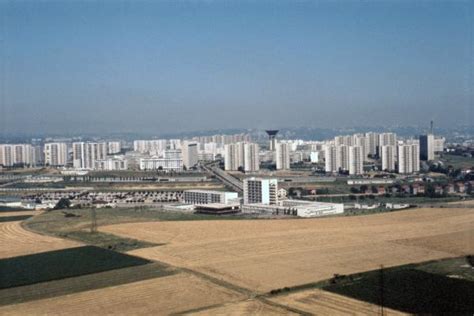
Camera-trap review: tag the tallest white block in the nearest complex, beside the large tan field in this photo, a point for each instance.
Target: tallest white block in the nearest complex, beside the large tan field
(259, 190)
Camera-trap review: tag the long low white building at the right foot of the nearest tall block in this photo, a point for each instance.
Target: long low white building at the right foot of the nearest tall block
(296, 208)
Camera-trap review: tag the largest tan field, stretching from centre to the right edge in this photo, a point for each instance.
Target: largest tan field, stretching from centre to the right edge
(262, 255)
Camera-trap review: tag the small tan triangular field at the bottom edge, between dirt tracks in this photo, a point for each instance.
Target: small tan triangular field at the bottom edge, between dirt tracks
(248, 307)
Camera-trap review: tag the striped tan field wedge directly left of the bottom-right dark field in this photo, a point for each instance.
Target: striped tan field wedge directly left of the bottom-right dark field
(320, 302)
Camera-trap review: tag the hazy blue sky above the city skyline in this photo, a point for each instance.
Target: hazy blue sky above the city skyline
(173, 66)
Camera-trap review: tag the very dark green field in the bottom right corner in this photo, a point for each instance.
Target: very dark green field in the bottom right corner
(412, 290)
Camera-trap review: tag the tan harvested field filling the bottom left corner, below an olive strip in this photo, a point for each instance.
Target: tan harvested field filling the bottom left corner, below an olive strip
(161, 296)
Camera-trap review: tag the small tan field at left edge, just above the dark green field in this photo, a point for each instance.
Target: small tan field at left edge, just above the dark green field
(16, 241)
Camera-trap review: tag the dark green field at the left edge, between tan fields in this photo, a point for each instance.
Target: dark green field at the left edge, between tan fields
(60, 264)
